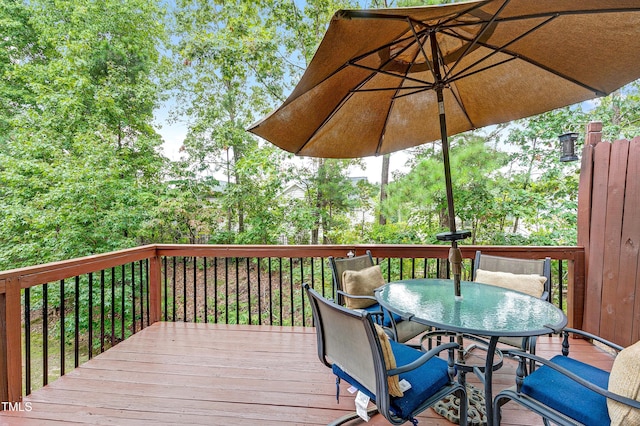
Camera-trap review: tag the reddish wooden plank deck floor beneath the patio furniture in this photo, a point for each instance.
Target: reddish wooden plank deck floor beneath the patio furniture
(206, 374)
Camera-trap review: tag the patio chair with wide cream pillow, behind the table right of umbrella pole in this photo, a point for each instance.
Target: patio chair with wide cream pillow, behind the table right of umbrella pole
(525, 275)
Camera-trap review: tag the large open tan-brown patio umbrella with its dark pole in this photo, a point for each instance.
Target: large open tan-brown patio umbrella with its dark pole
(387, 79)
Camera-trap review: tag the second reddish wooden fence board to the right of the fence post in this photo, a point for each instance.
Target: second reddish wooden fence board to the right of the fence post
(613, 232)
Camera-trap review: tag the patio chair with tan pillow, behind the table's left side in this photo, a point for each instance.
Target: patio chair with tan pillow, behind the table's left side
(355, 291)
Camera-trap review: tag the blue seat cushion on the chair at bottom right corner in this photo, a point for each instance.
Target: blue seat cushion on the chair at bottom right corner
(559, 392)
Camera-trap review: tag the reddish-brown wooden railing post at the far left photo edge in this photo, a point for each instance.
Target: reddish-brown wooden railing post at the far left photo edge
(10, 343)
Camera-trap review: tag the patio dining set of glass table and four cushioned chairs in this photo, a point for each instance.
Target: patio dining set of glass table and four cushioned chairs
(368, 337)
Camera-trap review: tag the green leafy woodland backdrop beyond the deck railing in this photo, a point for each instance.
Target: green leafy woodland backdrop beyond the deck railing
(80, 171)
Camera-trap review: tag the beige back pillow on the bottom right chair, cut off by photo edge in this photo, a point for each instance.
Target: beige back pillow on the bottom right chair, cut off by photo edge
(625, 380)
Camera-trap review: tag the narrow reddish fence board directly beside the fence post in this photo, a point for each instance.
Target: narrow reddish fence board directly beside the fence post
(593, 296)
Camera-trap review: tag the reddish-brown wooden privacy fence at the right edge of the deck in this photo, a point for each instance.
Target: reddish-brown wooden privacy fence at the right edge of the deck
(609, 230)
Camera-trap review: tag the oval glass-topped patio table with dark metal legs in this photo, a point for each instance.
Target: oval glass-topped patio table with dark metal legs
(483, 310)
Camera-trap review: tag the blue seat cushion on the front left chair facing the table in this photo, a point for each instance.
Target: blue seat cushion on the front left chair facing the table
(425, 380)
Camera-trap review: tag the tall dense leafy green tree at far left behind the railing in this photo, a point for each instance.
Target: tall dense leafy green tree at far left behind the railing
(79, 166)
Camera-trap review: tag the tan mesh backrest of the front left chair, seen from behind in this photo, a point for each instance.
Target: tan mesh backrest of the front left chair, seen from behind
(348, 339)
